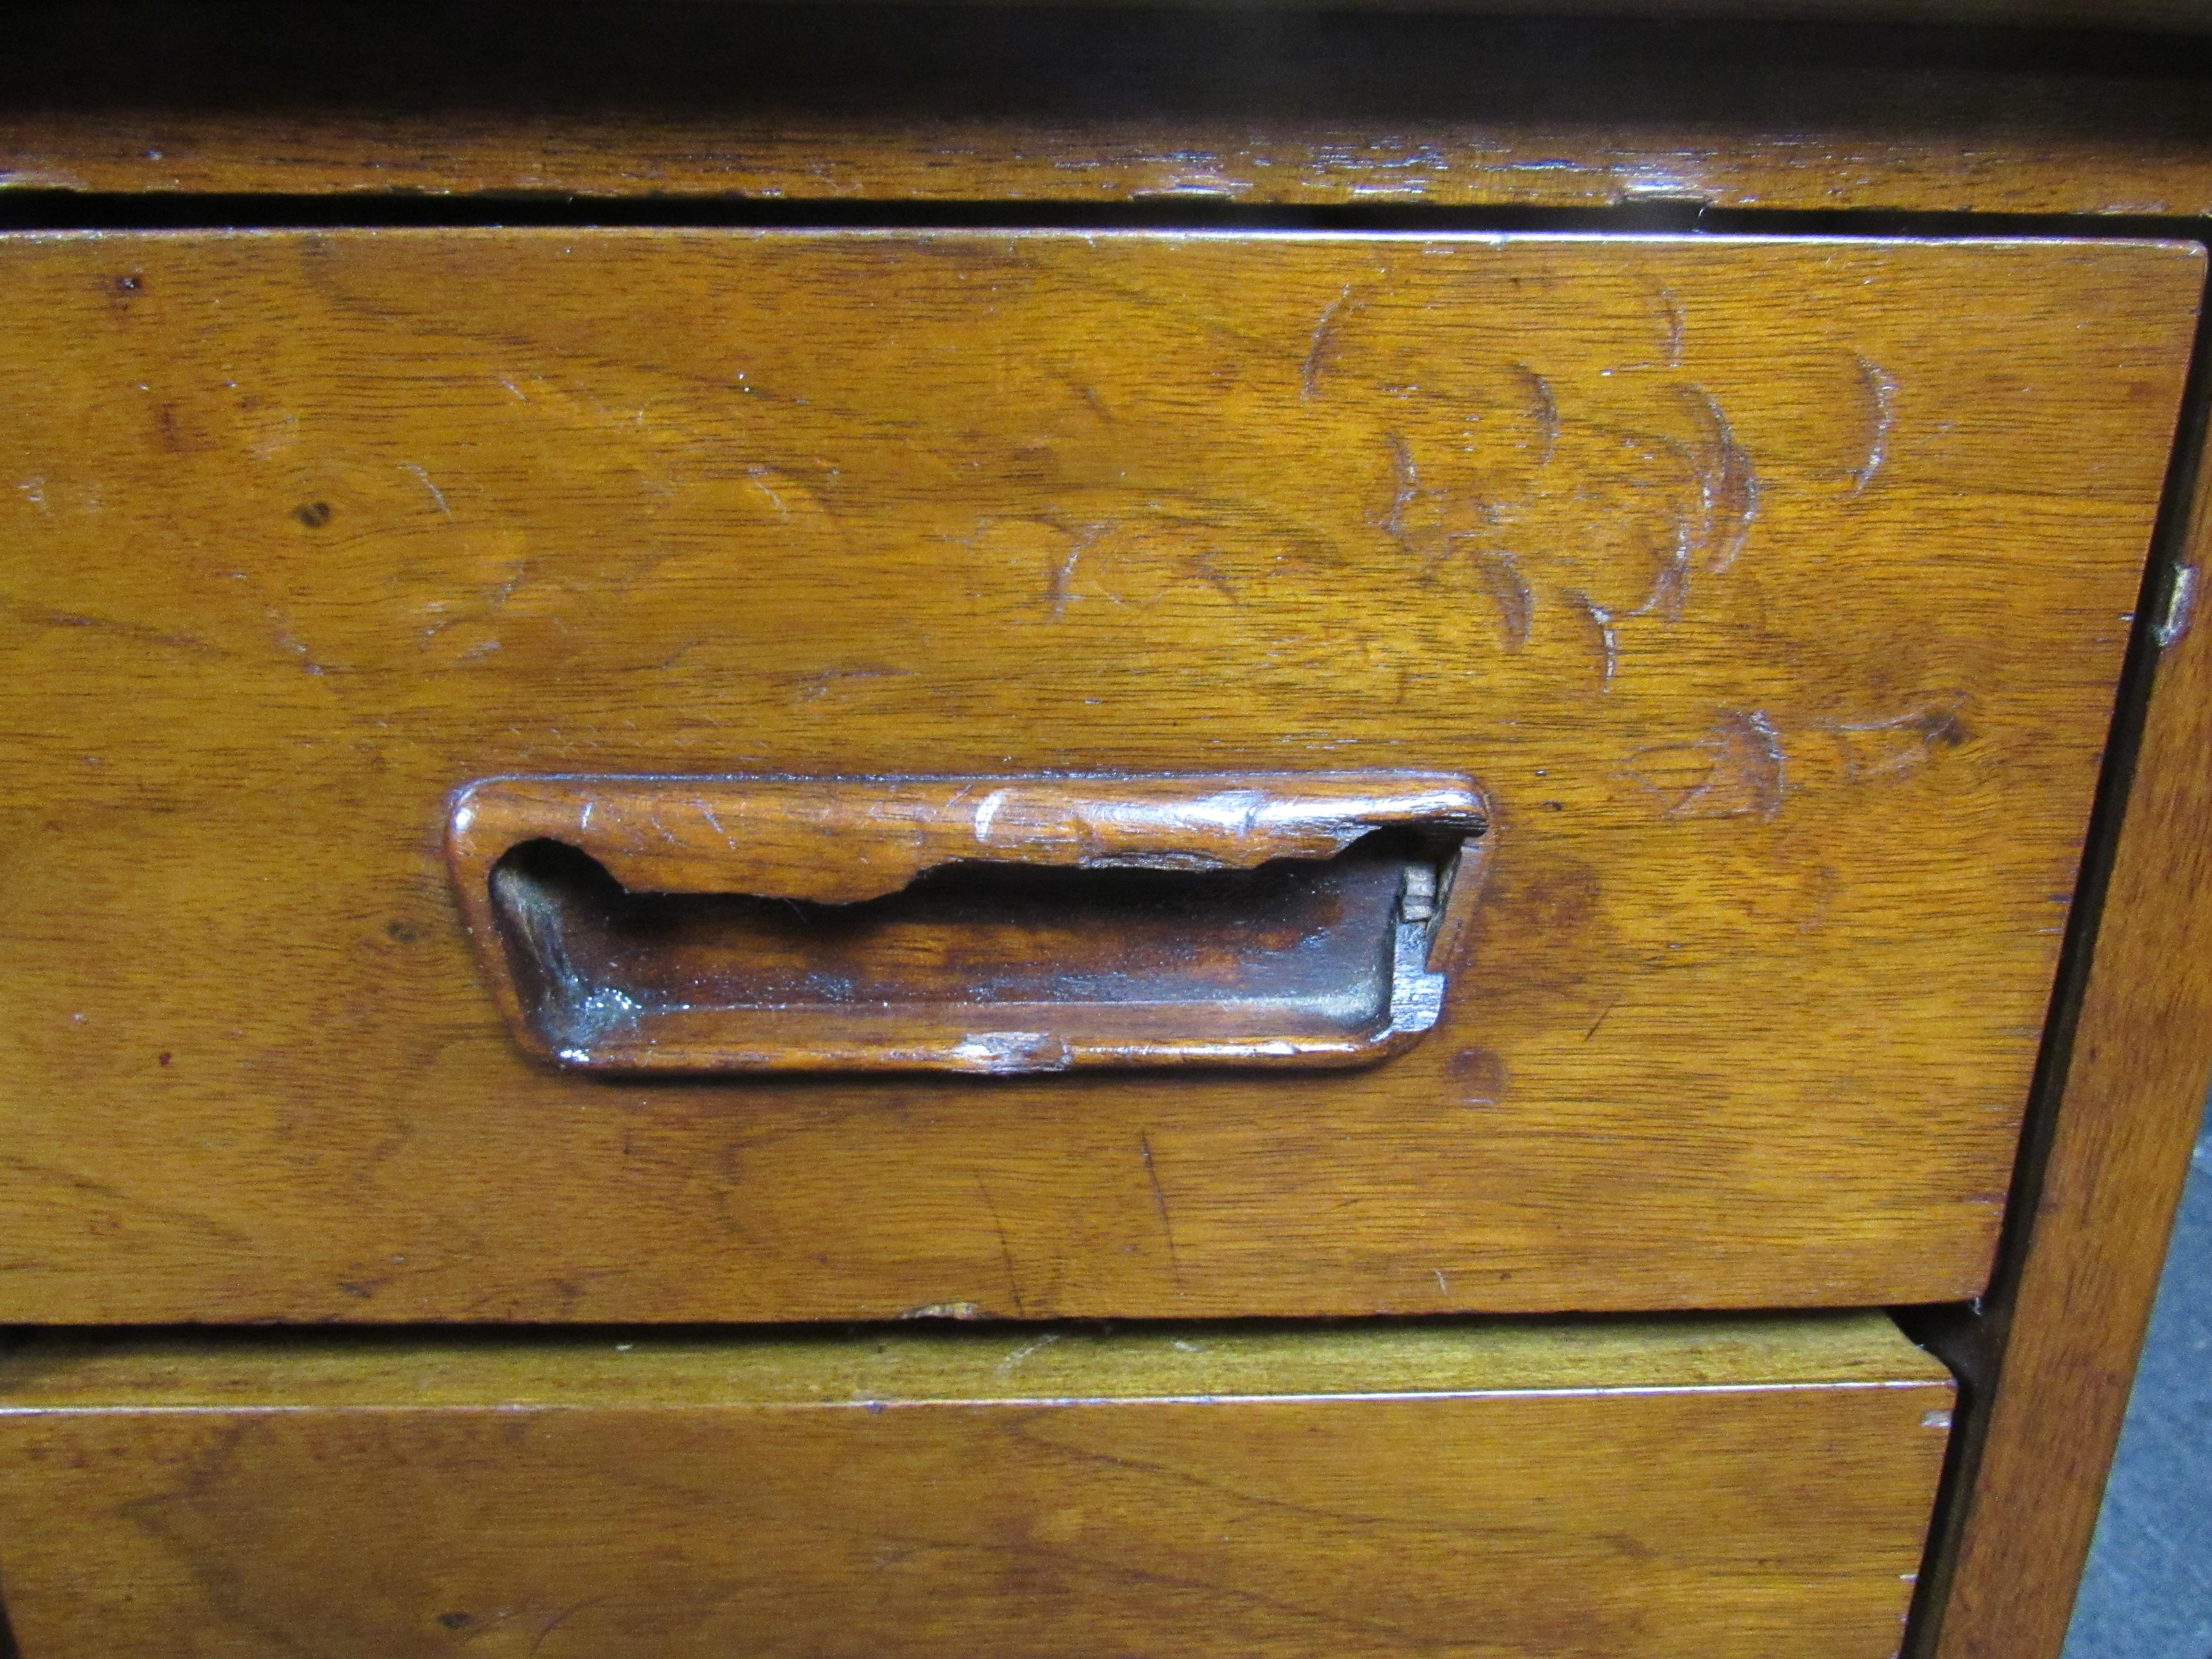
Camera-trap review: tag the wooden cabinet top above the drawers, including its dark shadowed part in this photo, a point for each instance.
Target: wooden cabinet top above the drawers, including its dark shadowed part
(1098, 107)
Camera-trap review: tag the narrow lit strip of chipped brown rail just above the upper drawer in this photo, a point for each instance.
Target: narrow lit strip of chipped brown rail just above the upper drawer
(1100, 163)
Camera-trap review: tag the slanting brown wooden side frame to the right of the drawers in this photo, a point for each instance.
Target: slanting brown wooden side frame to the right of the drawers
(2049, 1355)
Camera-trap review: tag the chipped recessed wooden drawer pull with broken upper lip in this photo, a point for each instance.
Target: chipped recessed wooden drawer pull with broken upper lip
(968, 924)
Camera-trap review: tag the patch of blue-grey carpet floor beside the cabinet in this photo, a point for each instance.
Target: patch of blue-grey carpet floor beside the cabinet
(2149, 1589)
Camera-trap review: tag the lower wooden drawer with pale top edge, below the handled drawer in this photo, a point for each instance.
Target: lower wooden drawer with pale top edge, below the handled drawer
(1669, 1488)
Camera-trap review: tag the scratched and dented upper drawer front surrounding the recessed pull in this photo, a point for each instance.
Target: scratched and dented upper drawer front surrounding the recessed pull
(1775, 609)
